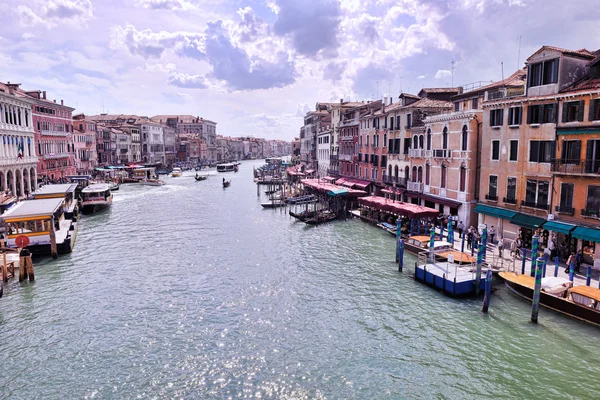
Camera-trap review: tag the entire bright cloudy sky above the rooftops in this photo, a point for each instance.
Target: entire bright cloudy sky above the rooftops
(256, 67)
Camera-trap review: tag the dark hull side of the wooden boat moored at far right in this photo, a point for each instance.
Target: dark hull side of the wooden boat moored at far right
(555, 303)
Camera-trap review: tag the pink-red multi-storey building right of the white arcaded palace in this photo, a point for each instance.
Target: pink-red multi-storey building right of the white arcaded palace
(53, 126)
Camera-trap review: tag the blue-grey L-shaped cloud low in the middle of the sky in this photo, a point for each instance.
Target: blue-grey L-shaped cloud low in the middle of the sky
(240, 72)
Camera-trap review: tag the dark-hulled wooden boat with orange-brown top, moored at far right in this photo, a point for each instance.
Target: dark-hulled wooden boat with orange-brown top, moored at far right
(558, 294)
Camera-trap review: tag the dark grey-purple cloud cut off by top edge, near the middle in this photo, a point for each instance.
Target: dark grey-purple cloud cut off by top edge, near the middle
(311, 26)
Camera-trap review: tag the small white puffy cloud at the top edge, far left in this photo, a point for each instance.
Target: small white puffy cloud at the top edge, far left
(51, 13)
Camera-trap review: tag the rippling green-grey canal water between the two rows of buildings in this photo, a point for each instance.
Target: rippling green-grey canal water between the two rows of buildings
(194, 291)
